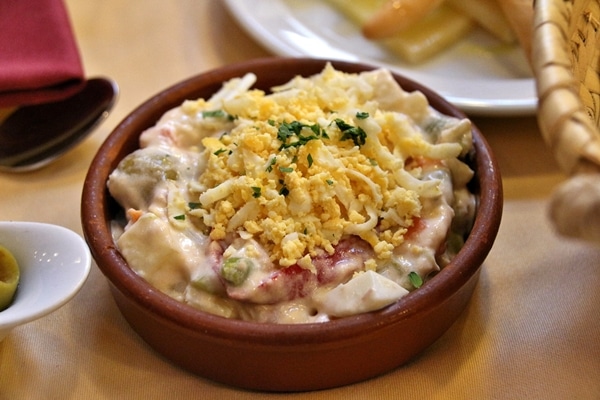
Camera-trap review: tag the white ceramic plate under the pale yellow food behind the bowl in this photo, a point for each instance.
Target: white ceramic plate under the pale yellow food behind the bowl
(477, 75)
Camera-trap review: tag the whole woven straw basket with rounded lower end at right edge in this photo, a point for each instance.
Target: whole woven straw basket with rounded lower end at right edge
(565, 60)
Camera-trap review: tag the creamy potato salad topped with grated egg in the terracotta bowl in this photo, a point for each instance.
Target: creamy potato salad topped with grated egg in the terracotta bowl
(328, 196)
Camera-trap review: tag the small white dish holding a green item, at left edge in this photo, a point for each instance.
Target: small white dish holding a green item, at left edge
(54, 262)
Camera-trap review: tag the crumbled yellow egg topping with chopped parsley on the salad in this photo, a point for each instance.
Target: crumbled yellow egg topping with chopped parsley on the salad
(300, 192)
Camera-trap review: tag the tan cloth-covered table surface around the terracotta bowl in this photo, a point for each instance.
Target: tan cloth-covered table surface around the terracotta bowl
(530, 331)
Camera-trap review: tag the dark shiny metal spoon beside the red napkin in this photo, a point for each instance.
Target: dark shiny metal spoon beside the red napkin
(33, 136)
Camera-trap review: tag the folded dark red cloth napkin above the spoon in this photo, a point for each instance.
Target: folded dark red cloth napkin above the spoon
(39, 58)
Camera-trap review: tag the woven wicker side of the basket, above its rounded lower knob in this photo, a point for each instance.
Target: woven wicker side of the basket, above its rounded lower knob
(565, 61)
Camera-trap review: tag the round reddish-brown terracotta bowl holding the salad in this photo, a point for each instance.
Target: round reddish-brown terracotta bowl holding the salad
(273, 357)
